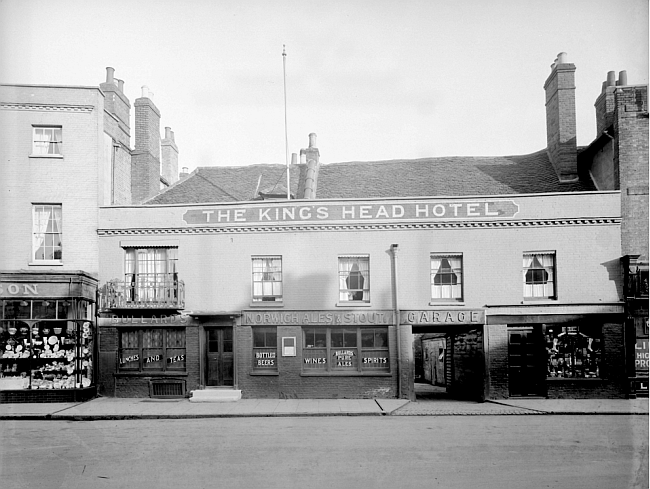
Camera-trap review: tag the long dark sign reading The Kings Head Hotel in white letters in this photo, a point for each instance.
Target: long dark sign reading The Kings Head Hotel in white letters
(444, 210)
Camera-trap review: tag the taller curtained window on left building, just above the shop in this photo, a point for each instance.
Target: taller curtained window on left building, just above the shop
(47, 233)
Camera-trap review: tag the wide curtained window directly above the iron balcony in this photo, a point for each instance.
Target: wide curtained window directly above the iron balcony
(151, 275)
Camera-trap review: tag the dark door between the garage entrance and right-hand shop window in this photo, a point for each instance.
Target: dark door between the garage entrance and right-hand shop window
(525, 362)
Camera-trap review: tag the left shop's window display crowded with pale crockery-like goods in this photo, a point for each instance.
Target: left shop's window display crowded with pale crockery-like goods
(45, 344)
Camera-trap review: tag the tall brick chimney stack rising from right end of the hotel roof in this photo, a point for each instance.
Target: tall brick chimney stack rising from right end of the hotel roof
(561, 119)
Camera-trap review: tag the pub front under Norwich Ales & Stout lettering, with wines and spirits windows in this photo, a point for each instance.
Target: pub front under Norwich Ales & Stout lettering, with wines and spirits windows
(317, 354)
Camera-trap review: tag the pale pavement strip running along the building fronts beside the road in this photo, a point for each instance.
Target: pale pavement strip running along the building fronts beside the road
(109, 408)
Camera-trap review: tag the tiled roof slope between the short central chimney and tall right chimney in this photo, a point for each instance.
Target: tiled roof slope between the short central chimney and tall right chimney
(444, 176)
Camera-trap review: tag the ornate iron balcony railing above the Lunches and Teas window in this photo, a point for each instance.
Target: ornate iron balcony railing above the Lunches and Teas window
(144, 294)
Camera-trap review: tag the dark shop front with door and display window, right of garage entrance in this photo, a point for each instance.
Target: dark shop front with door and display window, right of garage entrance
(556, 352)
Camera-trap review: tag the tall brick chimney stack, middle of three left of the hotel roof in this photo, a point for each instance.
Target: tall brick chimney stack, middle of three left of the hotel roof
(145, 160)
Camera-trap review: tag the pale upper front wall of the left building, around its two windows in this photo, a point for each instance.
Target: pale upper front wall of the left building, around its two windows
(72, 180)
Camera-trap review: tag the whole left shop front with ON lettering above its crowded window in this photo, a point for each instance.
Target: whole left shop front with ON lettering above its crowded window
(47, 333)
